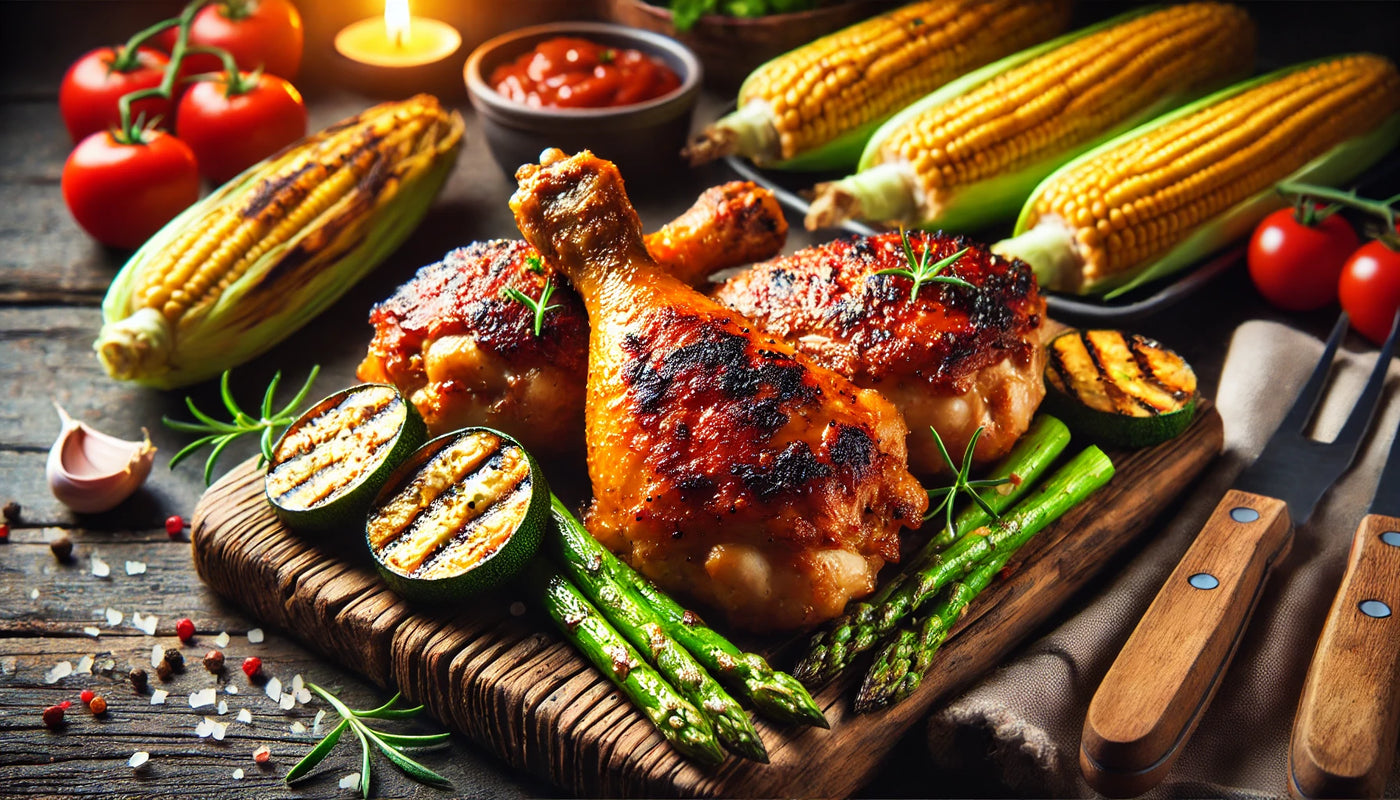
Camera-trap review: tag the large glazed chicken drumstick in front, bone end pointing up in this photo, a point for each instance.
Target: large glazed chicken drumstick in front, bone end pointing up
(724, 463)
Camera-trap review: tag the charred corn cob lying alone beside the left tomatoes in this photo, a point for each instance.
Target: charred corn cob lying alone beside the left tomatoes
(241, 270)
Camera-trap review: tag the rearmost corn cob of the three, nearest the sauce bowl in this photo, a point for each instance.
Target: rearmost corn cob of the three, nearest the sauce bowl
(813, 109)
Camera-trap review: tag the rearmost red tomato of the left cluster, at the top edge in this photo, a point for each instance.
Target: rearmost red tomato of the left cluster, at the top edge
(258, 33)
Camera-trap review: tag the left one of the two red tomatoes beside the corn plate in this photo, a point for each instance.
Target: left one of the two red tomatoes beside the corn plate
(1296, 267)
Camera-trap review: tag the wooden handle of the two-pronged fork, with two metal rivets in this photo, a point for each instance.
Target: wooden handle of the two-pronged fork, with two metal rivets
(1171, 666)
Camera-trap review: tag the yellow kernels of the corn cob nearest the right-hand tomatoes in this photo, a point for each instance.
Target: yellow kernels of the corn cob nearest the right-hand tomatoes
(1154, 190)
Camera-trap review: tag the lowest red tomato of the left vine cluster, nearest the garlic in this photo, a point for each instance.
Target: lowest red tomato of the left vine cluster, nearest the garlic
(122, 194)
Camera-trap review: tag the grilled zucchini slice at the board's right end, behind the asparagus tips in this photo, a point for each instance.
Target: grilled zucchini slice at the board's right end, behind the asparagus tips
(1119, 389)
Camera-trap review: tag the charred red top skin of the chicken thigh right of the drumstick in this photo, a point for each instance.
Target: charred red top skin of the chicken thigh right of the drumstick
(829, 302)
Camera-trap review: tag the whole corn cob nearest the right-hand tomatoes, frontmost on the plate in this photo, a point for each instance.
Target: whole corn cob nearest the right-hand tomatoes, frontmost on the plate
(1167, 194)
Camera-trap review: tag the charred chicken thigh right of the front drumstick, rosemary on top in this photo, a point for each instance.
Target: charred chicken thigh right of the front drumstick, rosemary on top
(954, 359)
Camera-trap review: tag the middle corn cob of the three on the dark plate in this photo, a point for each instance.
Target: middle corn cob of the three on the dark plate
(971, 153)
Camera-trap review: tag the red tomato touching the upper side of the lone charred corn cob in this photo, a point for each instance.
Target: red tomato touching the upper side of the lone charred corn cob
(230, 134)
